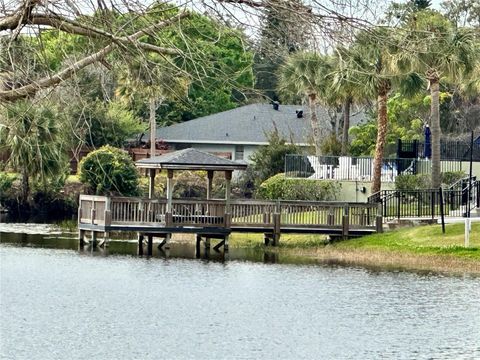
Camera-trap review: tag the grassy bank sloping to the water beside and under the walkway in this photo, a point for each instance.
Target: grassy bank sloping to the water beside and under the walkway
(417, 248)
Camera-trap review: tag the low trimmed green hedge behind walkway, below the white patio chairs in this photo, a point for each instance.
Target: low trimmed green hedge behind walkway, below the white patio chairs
(278, 187)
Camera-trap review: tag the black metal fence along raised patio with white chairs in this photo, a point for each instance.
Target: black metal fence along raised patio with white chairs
(357, 168)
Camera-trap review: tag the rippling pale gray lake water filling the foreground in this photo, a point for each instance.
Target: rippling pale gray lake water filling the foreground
(59, 303)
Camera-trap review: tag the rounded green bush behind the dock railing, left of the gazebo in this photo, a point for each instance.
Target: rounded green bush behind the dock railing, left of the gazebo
(109, 170)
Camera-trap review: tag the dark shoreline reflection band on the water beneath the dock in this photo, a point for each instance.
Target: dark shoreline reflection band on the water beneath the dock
(65, 236)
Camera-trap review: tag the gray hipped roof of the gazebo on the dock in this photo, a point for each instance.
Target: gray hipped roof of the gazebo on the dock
(189, 159)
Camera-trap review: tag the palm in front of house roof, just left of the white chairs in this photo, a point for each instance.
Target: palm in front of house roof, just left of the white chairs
(305, 74)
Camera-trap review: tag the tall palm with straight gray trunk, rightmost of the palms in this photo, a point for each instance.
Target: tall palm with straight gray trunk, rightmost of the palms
(437, 50)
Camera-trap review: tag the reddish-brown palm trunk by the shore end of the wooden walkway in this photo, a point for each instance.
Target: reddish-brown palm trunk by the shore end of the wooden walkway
(381, 138)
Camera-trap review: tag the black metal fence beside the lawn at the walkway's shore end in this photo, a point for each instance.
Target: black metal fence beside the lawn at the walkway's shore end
(457, 202)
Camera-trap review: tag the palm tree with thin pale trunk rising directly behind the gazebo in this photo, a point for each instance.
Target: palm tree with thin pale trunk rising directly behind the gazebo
(155, 81)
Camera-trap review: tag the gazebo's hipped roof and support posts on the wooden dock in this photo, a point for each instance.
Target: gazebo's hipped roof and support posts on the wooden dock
(188, 159)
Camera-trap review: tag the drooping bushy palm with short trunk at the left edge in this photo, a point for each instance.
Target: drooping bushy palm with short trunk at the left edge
(30, 135)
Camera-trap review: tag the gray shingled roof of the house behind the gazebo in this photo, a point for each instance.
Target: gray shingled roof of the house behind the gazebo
(246, 125)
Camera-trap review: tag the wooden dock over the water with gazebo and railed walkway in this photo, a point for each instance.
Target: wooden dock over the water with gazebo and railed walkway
(216, 218)
